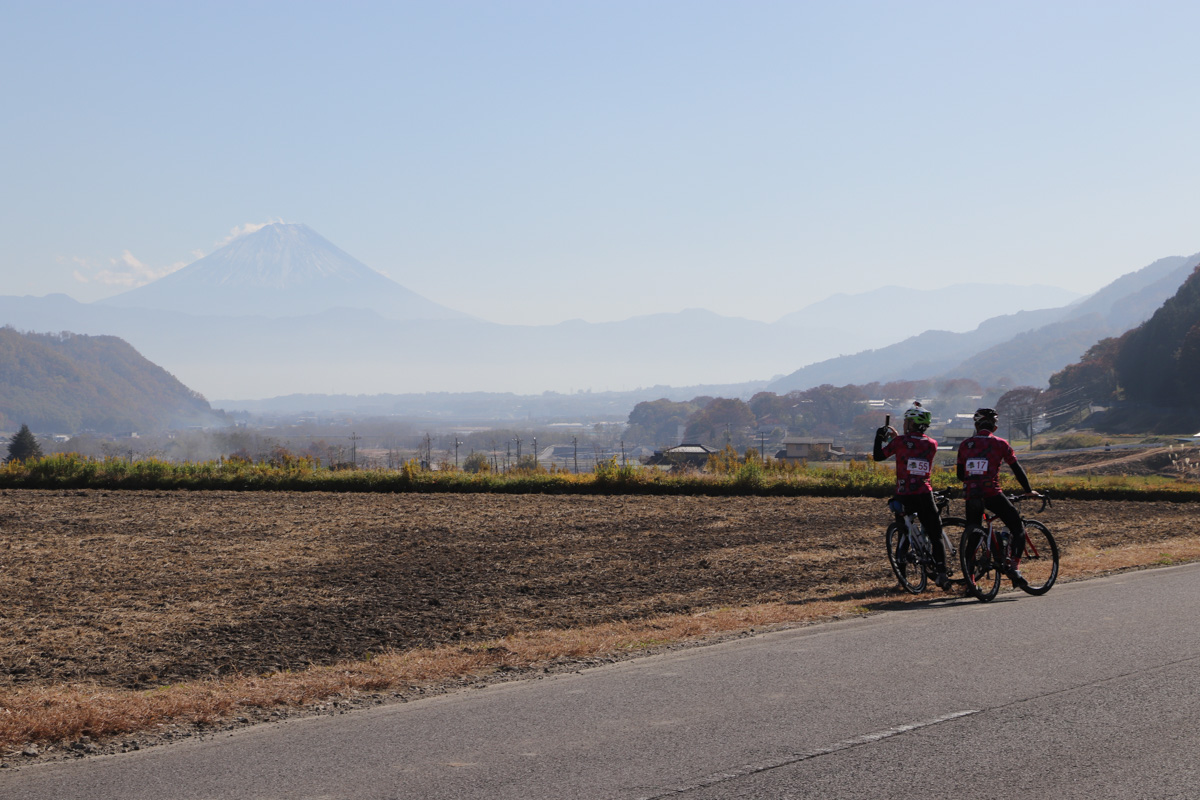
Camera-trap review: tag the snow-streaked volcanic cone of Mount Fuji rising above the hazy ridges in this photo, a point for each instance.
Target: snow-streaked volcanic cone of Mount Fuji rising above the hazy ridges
(281, 270)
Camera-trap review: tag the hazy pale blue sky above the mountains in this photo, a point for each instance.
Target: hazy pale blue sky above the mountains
(543, 161)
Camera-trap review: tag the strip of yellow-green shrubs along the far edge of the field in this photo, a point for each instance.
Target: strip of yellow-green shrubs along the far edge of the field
(725, 476)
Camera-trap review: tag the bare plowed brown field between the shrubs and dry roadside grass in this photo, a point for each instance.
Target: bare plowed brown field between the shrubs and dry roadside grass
(137, 590)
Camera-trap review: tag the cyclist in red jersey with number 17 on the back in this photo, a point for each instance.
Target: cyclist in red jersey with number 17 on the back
(979, 467)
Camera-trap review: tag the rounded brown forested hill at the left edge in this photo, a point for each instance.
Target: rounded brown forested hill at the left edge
(67, 383)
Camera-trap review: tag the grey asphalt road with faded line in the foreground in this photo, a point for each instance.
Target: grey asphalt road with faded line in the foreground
(1090, 691)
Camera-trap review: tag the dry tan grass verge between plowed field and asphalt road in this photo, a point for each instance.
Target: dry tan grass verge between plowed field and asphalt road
(64, 714)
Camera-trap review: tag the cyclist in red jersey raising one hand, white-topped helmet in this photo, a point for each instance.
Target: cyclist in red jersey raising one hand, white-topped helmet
(915, 464)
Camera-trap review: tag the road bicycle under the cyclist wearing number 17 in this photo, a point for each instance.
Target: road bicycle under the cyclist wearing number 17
(988, 555)
